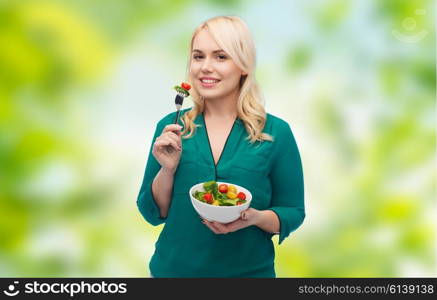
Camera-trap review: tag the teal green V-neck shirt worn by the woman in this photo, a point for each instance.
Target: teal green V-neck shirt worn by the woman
(271, 171)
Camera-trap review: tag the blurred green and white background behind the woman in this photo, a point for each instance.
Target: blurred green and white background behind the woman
(83, 83)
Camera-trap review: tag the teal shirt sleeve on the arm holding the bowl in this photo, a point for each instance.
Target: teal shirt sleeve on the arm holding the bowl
(287, 184)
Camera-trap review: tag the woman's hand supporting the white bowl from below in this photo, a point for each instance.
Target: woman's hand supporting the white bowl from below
(247, 218)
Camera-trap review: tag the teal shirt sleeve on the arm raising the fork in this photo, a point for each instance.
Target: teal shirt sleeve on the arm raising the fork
(145, 201)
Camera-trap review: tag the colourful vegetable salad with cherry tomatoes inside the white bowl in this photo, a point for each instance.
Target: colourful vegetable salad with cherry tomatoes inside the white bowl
(220, 195)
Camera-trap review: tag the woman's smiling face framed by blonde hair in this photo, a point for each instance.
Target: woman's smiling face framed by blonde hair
(212, 70)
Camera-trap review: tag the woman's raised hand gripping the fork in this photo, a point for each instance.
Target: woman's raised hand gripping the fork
(170, 138)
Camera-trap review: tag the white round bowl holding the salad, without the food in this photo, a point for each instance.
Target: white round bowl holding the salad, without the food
(222, 214)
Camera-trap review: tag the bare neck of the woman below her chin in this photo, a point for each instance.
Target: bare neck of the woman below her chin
(222, 108)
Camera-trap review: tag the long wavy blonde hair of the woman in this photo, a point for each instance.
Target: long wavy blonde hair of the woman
(233, 36)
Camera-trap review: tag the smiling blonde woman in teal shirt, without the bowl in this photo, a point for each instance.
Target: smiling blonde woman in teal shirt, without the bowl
(226, 136)
